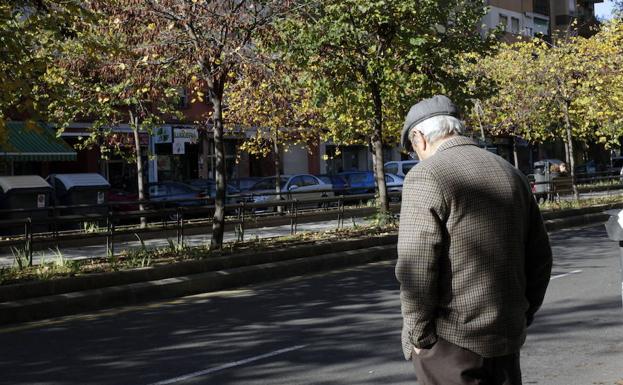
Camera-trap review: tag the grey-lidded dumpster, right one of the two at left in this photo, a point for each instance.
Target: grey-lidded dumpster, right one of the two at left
(88, 189)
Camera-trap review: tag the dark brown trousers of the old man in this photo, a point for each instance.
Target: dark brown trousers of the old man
(448, 364)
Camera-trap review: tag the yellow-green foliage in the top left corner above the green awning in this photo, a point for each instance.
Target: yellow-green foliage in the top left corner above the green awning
(33, 33)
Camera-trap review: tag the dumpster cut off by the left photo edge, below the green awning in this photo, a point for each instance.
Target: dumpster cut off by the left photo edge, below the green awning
(29, 193)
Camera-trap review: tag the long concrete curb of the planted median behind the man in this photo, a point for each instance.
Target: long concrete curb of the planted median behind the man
(47, 299)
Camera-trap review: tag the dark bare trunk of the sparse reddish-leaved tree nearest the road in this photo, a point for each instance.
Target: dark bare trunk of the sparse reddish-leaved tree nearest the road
(218, 222)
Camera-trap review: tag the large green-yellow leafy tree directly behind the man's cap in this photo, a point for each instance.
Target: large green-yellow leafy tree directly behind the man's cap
(370, 60)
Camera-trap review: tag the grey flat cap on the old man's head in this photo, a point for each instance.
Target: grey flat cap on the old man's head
(427, 108)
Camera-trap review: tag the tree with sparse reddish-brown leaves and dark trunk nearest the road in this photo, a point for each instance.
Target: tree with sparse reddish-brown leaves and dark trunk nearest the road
(208, 42)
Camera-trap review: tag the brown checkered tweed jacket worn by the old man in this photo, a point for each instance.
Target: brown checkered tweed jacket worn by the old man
(474, 258)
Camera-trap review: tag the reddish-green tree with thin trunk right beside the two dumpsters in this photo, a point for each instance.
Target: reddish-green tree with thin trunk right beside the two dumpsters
(111, 79)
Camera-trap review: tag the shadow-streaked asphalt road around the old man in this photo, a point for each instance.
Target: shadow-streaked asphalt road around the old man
(336, 328)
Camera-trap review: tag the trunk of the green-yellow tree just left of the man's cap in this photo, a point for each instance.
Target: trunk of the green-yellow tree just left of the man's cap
(377, 146)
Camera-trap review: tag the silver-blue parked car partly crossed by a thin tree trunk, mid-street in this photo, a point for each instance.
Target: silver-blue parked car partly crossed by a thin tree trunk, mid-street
(303, 187)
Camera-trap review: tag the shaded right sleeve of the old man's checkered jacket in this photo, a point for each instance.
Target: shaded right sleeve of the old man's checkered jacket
(538, 265)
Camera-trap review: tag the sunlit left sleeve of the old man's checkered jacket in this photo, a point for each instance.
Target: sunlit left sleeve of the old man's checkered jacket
(420, 246)
